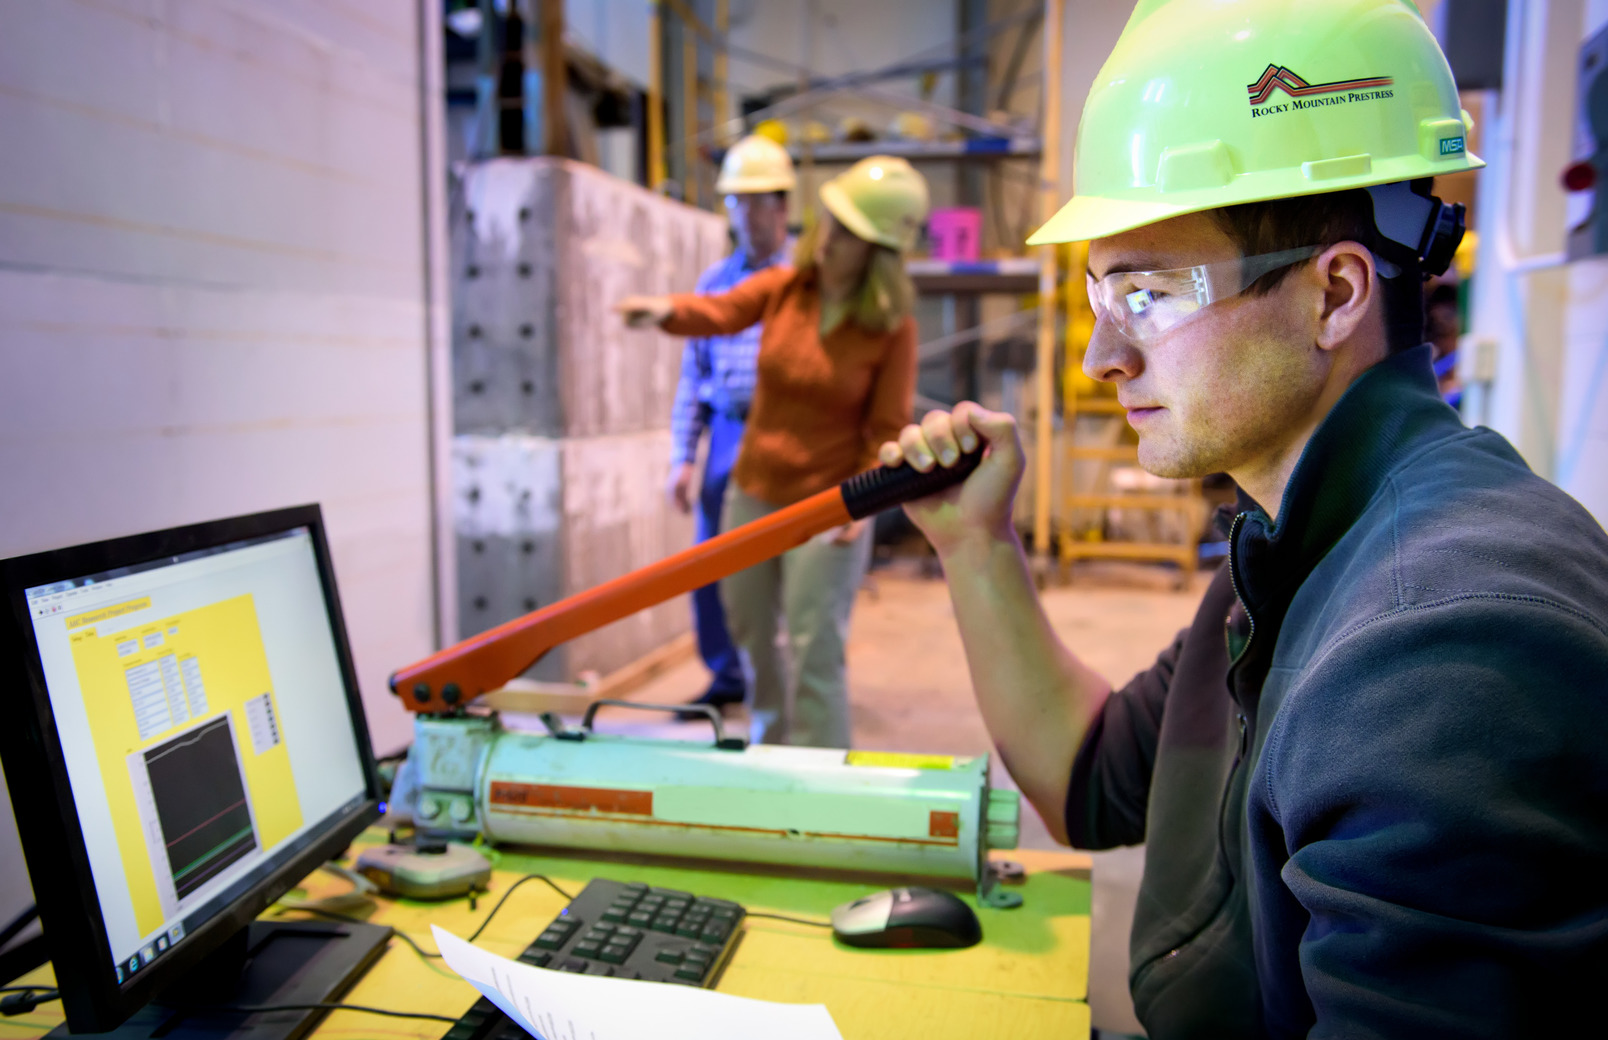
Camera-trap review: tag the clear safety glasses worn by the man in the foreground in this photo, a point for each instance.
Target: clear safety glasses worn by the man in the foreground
(1144, 305)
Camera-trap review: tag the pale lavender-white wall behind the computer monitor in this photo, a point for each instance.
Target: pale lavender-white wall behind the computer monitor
(213, 289)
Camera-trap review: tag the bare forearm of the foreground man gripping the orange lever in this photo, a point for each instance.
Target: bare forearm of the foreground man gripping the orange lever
(1036, 697)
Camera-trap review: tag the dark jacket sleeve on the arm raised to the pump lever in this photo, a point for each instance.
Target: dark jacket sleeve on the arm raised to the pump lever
(1110, 788)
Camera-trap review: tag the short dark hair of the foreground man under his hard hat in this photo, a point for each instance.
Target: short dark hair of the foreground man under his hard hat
(1323, 221)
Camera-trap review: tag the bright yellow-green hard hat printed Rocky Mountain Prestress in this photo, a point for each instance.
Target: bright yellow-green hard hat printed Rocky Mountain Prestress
(1210, 104)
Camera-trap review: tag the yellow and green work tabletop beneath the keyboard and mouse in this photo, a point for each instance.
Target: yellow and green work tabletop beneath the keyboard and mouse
(1028, 978)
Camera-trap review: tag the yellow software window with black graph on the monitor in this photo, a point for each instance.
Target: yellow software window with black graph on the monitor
(191, 747)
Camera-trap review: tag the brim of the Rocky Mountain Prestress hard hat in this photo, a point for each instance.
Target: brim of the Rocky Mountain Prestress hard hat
(1088, 218)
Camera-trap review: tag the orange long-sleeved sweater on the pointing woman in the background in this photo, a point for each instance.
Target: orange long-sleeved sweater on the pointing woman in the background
(822, 407)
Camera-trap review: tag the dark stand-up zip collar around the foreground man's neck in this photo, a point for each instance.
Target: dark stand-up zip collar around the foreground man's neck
(1384, 419)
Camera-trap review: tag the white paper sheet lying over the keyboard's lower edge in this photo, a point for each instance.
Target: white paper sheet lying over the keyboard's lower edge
(559, 1005)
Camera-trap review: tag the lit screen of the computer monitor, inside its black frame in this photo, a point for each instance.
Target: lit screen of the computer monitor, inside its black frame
(207, 727)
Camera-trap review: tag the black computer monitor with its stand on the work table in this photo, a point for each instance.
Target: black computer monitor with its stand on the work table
(184, 742)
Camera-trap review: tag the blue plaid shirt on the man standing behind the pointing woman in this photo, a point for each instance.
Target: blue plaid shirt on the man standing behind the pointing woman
(718, 372)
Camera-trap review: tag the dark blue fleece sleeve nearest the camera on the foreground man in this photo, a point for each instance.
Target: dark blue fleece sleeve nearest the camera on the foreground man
(1435, 801)
